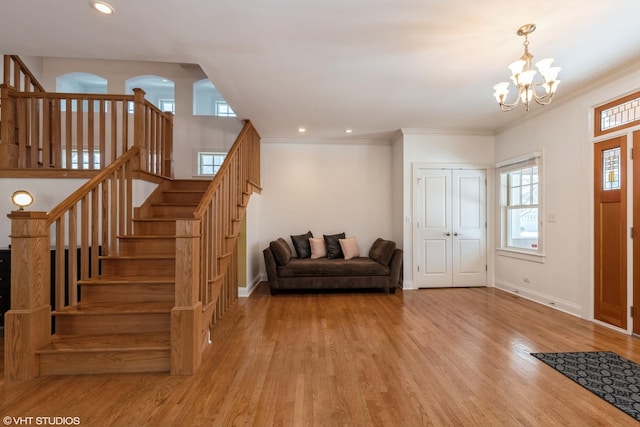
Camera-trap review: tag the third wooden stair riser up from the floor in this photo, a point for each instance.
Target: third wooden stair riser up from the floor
(134, 293)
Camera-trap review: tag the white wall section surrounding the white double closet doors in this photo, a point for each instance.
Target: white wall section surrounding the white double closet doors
(439, 147)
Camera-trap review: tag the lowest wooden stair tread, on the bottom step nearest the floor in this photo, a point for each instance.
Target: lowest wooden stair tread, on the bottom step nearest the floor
(107, 342)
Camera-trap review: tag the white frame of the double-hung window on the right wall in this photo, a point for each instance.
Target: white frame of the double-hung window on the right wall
(502, 170)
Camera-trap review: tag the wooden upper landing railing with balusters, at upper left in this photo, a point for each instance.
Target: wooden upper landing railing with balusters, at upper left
(47, 130)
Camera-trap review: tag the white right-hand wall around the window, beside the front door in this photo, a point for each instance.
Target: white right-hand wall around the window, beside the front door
(563, 131)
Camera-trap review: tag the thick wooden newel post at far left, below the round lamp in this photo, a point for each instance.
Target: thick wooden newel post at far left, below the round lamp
(28, 322)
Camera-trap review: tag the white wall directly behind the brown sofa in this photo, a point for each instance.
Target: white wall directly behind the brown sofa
(327, 188)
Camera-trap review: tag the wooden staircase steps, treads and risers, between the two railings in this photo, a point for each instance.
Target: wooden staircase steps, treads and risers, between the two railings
(122, 322)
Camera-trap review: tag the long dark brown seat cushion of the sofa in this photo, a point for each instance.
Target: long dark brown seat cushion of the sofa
(324, 267)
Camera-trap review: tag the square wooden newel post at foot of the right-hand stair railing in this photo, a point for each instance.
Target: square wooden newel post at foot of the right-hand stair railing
(186, 315)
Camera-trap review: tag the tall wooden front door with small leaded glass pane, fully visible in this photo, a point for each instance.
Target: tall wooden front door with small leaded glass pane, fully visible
(610, 246)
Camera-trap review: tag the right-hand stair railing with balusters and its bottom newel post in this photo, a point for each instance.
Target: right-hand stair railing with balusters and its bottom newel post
(206, 264)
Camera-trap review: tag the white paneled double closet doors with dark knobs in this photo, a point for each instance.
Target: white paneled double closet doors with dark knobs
(451, 229)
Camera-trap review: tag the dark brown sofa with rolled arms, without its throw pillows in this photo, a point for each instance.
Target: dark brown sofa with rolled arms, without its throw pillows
(381, 269)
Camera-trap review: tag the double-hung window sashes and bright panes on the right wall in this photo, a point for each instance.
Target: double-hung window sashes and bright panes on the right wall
(520, 184)
